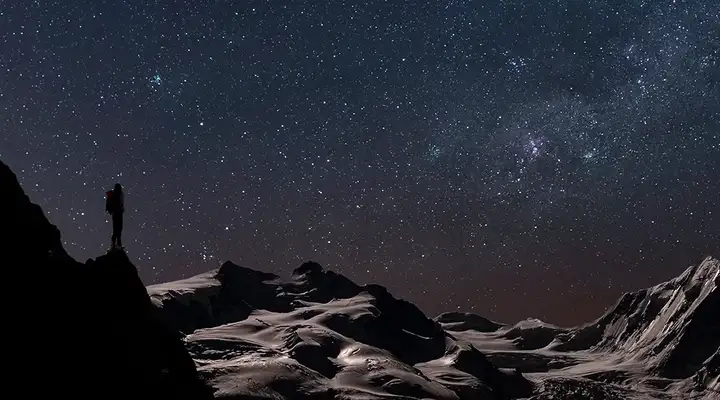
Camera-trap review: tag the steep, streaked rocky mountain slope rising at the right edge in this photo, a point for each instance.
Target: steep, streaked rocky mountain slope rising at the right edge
(672, 327)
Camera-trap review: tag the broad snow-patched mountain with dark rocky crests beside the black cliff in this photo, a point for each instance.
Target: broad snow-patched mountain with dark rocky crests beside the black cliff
(317, 334)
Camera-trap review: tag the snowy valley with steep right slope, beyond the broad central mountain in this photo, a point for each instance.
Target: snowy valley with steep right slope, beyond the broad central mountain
(659, 342)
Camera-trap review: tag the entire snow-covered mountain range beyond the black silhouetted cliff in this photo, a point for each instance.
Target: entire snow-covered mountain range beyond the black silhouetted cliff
(318, 334)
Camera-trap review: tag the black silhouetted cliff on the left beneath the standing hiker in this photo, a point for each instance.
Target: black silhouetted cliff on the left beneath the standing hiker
(91, 326)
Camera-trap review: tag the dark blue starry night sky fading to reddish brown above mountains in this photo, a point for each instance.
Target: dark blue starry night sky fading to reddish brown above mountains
(508, 158)
